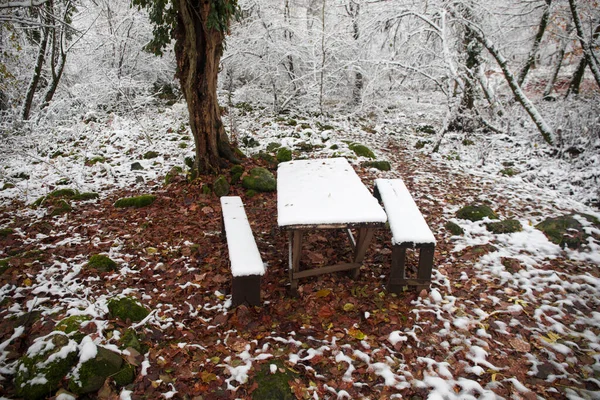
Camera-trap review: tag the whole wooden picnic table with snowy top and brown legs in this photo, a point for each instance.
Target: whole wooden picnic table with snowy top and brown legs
(325, 194)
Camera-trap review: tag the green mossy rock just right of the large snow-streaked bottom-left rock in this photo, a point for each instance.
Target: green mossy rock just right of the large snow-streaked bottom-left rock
(93, 373)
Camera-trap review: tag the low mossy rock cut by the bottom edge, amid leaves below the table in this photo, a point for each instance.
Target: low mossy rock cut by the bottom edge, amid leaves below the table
(274, 386)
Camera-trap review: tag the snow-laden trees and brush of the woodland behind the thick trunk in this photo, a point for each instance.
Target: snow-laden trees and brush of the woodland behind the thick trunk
(423, 63)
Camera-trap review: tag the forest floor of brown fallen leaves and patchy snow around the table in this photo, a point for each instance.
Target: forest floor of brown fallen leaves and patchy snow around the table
(508, 315)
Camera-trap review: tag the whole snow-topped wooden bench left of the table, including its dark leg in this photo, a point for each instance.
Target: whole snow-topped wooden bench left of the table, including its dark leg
(246, 264)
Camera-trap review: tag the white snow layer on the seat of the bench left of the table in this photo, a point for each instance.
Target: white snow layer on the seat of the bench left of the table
(243, 252)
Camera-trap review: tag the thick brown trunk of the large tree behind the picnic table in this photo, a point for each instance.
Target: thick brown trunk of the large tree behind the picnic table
(198, 50)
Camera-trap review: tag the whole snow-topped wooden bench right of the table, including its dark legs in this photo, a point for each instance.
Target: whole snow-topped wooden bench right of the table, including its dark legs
(409, 230)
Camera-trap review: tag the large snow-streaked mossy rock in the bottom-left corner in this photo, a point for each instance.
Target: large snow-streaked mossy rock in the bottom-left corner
(39, 374)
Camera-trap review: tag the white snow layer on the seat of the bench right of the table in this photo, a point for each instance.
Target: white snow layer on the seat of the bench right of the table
(406, 221)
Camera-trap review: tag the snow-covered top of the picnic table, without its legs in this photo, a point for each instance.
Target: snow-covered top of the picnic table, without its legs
(324, 192)
